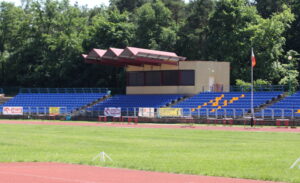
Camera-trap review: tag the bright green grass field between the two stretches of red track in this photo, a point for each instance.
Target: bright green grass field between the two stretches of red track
(253, 155)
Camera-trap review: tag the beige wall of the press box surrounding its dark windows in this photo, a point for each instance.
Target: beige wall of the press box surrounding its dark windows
(219, 72)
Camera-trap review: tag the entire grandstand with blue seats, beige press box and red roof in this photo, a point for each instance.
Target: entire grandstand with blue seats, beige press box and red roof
(161, 83)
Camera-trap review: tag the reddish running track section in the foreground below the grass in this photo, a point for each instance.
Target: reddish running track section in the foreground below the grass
(68, 173)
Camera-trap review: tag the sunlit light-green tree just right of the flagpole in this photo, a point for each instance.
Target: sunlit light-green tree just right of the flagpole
(269, 41)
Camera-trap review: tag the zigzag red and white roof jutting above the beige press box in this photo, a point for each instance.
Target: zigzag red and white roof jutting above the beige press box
(131, 56)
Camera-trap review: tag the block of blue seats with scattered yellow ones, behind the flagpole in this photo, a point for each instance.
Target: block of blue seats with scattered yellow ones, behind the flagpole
(237, 107)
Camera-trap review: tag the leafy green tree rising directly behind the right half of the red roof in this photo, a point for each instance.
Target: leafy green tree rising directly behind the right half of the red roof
(155, 27)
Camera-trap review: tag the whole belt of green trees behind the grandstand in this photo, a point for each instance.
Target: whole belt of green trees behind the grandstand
(41, 42)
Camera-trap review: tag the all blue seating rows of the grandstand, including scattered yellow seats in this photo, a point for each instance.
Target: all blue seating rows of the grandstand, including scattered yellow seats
(204, 103)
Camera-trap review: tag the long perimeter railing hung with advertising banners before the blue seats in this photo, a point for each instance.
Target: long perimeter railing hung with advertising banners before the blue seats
(226, 116)
